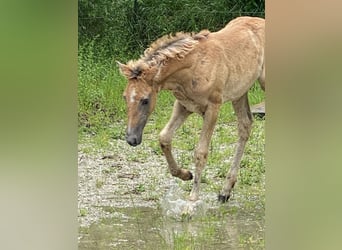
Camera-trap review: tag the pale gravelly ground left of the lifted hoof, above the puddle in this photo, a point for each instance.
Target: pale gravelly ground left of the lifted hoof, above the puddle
(114, 177)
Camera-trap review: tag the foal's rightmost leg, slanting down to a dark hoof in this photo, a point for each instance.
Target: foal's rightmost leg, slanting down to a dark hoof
(244, 116)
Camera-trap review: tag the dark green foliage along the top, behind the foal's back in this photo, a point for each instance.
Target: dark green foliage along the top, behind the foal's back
(124, 28)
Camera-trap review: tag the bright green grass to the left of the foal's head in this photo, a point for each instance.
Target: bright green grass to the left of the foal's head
(99, 96)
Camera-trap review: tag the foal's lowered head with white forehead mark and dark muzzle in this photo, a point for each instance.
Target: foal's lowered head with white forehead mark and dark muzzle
(140, 96)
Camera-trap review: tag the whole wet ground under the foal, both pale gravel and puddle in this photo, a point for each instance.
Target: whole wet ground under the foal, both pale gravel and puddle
(128, 200)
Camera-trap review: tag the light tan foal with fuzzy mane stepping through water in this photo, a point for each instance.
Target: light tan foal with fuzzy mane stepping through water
(203, 71)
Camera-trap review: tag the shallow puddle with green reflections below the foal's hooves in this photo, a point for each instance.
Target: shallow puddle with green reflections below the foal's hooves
(222, 227)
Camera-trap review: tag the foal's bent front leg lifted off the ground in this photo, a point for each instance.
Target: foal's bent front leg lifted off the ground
(178, 117)
